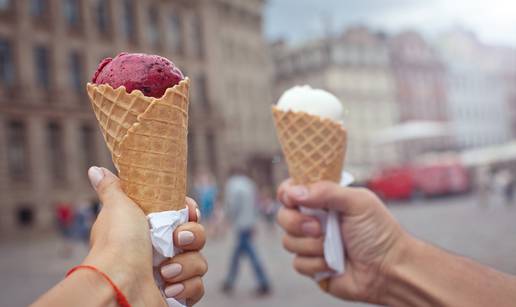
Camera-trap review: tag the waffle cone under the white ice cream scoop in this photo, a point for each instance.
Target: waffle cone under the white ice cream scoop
(314, 147)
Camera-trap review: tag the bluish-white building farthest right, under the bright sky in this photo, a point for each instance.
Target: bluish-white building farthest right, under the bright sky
(477, 90)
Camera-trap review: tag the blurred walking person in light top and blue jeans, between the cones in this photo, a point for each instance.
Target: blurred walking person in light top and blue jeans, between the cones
(241, 210)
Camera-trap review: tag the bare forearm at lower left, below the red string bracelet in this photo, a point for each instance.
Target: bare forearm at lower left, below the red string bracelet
(82, 288)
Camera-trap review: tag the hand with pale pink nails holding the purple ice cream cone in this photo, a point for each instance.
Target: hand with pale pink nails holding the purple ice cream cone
(121, 246)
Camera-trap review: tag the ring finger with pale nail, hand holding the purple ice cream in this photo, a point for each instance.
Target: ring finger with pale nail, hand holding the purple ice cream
(183, 266)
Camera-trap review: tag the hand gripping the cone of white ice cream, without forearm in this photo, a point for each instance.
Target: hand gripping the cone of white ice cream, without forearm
(372, 238)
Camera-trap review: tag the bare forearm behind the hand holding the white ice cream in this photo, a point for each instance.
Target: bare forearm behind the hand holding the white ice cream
(428, 276)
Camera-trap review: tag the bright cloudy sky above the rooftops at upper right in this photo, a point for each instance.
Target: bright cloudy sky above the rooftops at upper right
(493, 20)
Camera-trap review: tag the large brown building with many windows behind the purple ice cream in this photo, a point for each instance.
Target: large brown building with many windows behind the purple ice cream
(48, 49)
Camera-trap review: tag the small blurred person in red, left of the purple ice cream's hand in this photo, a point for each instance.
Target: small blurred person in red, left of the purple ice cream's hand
(65, 221)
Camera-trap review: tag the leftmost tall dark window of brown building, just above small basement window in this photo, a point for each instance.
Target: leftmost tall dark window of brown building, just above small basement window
(17, 155)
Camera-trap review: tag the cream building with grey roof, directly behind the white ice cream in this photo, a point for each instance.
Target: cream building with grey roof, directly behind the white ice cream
(356, 67)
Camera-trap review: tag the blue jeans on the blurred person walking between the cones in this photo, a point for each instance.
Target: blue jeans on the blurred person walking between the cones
(245, 246)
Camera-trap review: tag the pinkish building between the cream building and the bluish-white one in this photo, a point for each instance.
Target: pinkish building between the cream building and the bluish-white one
(421, 89)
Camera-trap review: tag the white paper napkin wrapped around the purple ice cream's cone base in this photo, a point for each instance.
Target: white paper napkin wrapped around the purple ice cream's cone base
(162, 226)
